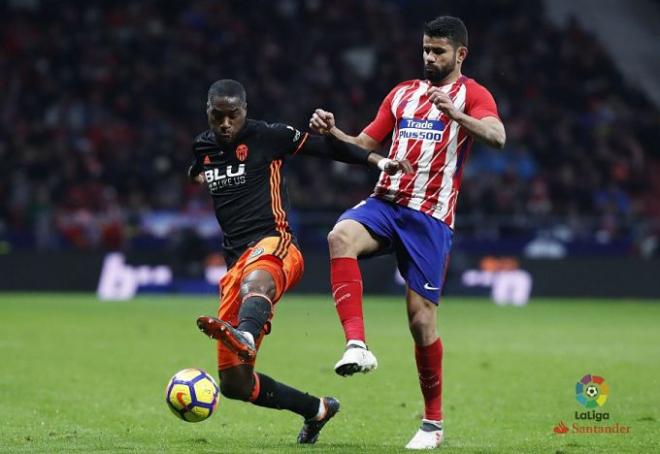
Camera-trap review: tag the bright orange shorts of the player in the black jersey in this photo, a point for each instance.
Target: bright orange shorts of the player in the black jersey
(275, 255)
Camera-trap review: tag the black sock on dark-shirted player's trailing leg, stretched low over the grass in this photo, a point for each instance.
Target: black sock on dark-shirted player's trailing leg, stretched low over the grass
(273, 394)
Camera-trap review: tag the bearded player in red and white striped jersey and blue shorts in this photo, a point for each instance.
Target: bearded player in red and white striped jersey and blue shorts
(432, 123)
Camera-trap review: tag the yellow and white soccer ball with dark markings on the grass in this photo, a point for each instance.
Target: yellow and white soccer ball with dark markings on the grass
(192, 395)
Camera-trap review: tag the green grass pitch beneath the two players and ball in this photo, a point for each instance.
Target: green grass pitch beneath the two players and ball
(80, 375)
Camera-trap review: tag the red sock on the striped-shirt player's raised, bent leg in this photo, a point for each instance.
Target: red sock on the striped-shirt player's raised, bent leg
(346, 282)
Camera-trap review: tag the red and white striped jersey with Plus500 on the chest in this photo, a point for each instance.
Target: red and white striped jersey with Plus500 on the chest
(436, 146)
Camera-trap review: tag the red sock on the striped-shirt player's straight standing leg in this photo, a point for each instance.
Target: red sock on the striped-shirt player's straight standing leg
(429, 368)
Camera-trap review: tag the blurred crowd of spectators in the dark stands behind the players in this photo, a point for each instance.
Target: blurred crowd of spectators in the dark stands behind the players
(100, 101)
